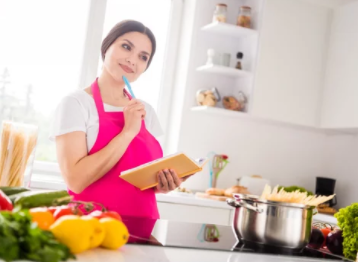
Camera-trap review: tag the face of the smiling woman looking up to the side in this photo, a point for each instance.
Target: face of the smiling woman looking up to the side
(128, 55)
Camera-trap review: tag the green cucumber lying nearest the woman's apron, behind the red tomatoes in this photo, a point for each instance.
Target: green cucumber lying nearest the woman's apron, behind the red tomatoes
(39, 199)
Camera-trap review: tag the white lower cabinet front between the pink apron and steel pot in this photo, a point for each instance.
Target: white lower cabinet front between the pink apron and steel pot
(194, 214)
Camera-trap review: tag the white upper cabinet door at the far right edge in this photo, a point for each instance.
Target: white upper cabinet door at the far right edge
(340, 104)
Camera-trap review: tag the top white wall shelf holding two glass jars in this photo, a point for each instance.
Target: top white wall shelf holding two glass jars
(229, 30)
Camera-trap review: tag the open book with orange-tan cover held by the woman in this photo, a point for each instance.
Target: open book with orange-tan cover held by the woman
(145, 176)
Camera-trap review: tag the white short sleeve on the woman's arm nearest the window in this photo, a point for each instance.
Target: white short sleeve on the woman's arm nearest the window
(69, 117)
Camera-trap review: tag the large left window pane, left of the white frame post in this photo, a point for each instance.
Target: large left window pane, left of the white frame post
(40, 60)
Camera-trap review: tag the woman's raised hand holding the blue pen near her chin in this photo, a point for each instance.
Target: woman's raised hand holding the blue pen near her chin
(134, 112)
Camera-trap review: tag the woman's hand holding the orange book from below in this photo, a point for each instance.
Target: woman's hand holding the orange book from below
(168, 180)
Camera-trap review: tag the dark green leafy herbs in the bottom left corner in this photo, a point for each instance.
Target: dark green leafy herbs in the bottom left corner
(22, 239)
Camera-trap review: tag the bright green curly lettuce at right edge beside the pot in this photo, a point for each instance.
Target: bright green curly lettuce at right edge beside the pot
(348, 222)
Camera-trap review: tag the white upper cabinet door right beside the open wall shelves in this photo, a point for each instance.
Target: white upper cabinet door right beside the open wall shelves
(292, 61)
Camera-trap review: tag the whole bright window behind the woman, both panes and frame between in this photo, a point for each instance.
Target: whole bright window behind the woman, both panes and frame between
(44, 51)
